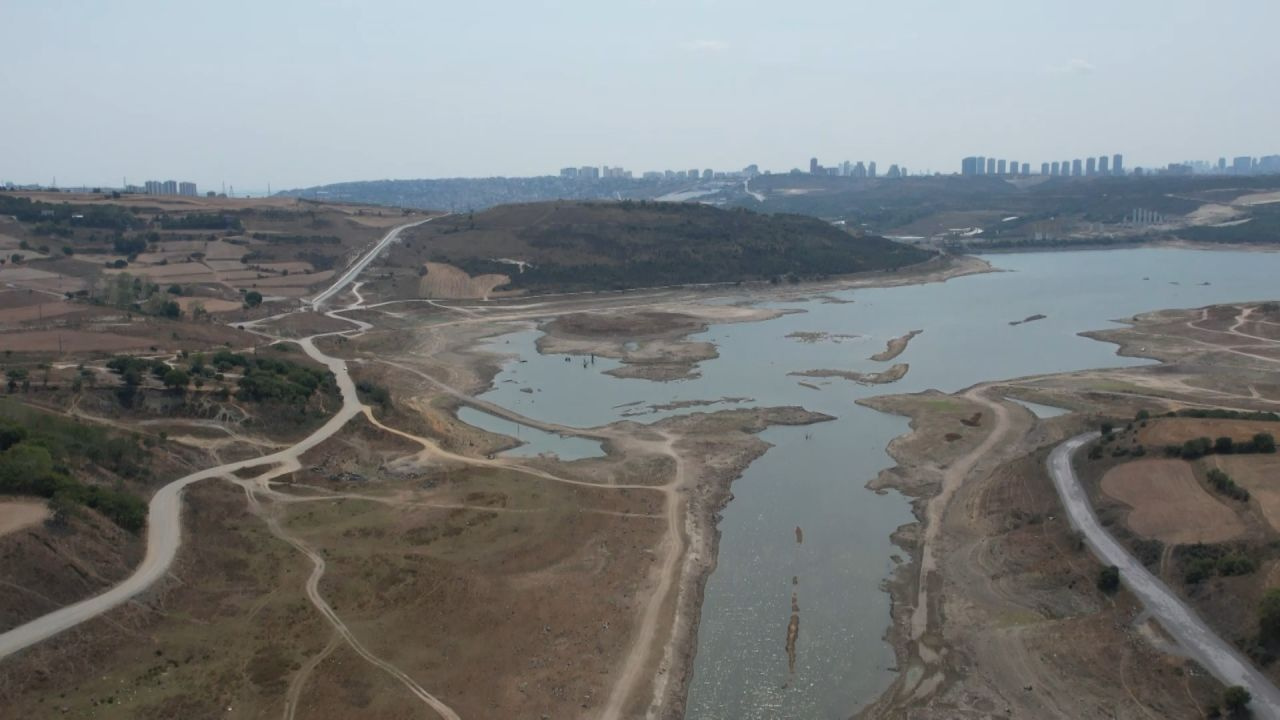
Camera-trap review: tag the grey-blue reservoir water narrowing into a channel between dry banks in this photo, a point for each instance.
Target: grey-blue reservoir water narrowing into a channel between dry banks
(815, 477)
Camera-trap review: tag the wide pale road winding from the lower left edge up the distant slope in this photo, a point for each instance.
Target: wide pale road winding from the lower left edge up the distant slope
(164, 516)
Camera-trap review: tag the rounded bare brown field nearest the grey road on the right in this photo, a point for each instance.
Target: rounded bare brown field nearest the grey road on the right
(1169, 505)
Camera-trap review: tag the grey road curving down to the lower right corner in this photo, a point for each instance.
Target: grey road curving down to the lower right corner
(1195, 637)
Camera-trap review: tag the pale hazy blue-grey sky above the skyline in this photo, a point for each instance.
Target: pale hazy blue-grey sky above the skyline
(301, 93)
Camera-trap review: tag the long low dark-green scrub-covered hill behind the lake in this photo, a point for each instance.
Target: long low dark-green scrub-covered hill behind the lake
(574, 247)
